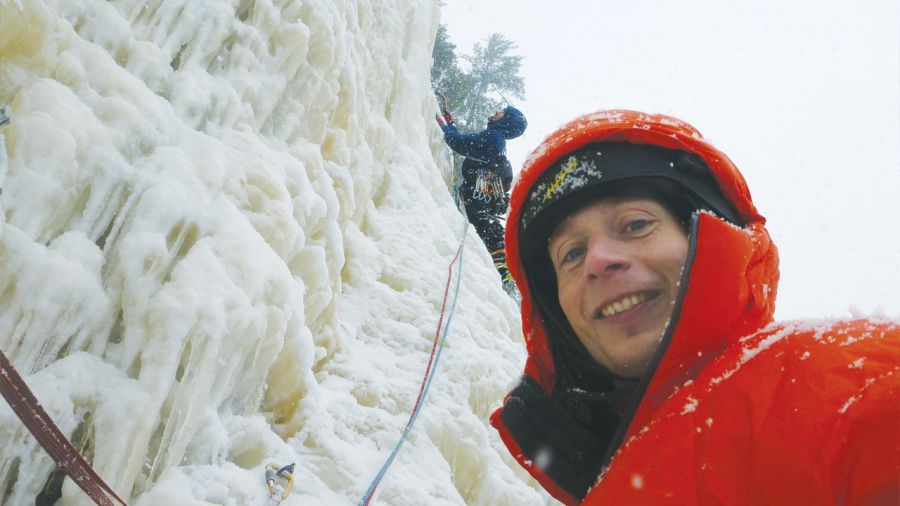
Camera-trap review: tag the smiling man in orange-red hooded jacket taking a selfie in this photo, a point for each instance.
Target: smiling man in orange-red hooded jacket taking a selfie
(655, 373)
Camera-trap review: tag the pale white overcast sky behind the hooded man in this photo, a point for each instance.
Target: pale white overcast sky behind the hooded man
(804, 95)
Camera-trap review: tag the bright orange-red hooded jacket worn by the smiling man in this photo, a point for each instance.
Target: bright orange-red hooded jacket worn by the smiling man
(739, 410)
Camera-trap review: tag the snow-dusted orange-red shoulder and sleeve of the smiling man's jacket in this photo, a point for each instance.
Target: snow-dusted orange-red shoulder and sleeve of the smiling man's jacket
(798, 414)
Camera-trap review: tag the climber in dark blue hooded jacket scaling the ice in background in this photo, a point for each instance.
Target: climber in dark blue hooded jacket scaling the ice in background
(487, 176)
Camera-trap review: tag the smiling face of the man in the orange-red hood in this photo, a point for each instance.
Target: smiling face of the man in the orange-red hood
(618, 263)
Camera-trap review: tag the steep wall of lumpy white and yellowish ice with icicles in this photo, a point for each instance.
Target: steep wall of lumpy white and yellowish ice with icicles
(224, 243)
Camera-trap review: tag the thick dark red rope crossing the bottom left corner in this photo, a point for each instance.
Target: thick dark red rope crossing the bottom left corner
(26, 406)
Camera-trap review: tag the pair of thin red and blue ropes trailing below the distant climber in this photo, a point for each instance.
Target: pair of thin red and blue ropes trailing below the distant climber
(436, 348)
